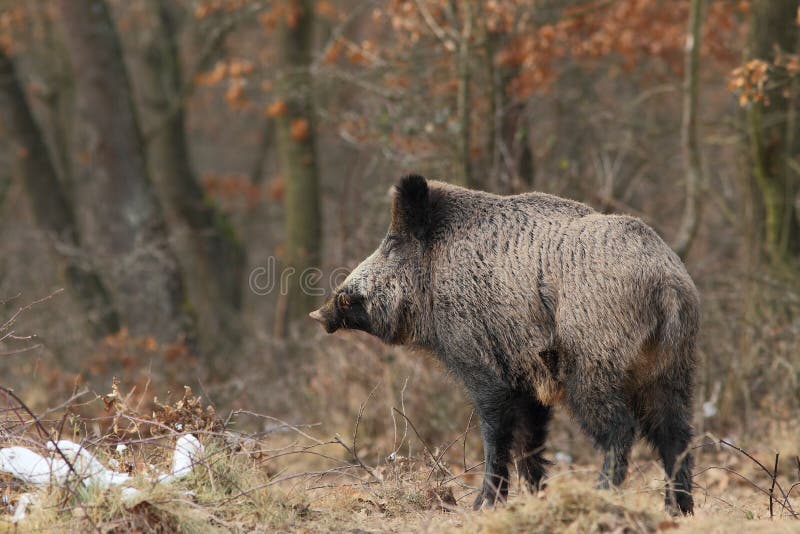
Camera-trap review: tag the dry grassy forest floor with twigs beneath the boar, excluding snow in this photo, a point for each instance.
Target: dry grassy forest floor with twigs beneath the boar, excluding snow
(288, 479)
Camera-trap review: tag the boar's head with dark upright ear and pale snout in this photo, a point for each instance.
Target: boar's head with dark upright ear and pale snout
(383, 295)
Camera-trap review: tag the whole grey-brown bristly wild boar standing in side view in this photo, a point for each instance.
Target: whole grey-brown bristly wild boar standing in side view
(534, 301)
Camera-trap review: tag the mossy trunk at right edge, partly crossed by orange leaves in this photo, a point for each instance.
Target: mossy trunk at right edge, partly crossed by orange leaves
(773, 131)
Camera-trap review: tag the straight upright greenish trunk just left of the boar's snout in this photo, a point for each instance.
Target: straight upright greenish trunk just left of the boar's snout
(297, 148)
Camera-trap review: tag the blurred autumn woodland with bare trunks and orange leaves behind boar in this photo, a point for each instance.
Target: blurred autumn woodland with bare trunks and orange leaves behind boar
(160, 160)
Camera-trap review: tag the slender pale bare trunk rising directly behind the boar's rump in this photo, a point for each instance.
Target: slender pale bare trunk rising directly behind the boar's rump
(690, 144)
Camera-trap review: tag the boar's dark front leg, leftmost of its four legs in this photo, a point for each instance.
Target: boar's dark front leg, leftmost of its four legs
(494, 406)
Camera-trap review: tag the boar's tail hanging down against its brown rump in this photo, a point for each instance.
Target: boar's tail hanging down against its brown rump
(678, 315)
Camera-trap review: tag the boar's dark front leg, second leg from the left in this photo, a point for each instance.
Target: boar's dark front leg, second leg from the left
(530, 433)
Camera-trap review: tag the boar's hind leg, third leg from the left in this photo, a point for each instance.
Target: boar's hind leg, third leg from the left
(597, 401)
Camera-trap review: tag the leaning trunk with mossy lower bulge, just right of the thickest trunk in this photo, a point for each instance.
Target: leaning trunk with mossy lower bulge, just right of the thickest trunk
(214, 261)
